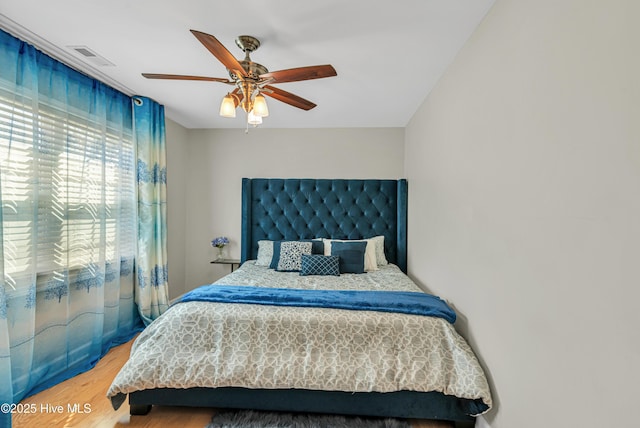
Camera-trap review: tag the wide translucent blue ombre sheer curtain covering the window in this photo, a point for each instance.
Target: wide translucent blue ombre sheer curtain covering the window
(67, 221)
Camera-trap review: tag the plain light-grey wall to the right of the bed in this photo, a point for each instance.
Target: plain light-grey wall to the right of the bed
(524, 188)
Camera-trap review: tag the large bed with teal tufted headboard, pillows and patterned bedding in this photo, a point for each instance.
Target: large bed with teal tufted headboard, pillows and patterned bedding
(427, 370)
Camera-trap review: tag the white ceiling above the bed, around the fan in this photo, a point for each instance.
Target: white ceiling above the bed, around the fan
(388, 55)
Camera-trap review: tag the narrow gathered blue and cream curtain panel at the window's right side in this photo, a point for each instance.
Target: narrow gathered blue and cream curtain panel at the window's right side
(152, 288)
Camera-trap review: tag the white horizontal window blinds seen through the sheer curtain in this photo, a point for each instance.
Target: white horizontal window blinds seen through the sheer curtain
(68, 192)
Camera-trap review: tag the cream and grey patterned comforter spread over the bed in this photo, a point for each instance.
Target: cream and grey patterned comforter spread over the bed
(203, 344)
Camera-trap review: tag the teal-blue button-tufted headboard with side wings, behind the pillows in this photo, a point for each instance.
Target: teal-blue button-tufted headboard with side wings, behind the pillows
(276, 209)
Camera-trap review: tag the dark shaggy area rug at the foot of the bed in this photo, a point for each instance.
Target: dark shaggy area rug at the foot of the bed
(255, 419)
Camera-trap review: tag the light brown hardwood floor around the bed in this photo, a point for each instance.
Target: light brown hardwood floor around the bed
(81, 402)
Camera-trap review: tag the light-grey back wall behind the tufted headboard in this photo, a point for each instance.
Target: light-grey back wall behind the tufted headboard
(218, 159)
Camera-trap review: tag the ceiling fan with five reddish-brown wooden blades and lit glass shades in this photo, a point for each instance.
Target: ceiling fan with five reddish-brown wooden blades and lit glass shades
(252, 80)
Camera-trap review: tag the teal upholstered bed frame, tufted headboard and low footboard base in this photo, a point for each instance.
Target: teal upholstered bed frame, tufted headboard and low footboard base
(294, 209)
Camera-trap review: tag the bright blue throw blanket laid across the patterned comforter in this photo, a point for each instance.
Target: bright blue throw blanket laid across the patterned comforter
(414, 303)
